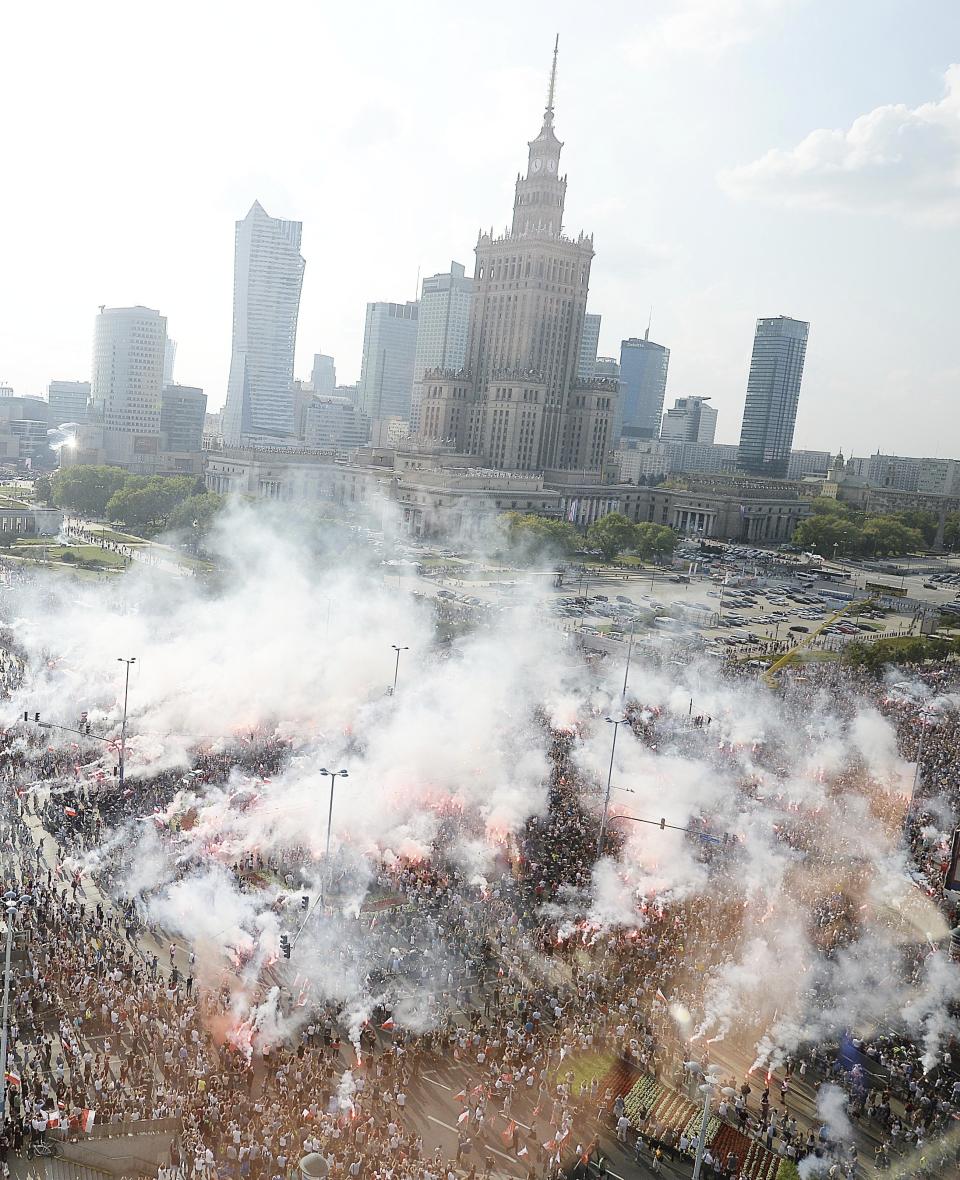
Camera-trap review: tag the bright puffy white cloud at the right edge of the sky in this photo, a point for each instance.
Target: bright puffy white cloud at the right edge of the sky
(895, 160)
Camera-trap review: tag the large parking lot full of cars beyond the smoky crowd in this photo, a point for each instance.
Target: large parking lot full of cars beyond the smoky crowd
(728, 600)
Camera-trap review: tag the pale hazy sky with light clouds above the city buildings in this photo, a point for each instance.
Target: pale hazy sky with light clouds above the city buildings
(733, 159)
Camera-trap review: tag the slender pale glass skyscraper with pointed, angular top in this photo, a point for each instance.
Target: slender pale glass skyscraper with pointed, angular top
(268, 277)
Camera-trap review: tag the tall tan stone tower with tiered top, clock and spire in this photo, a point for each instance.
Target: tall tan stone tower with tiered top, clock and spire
(520, 403)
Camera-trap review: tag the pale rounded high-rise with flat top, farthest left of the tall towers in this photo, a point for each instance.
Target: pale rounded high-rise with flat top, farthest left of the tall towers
(127, 390)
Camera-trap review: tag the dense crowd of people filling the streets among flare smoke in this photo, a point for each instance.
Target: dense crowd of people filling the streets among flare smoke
(503, 984)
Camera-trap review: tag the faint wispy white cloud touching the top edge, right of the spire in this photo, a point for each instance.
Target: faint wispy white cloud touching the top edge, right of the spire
(707, 28)
